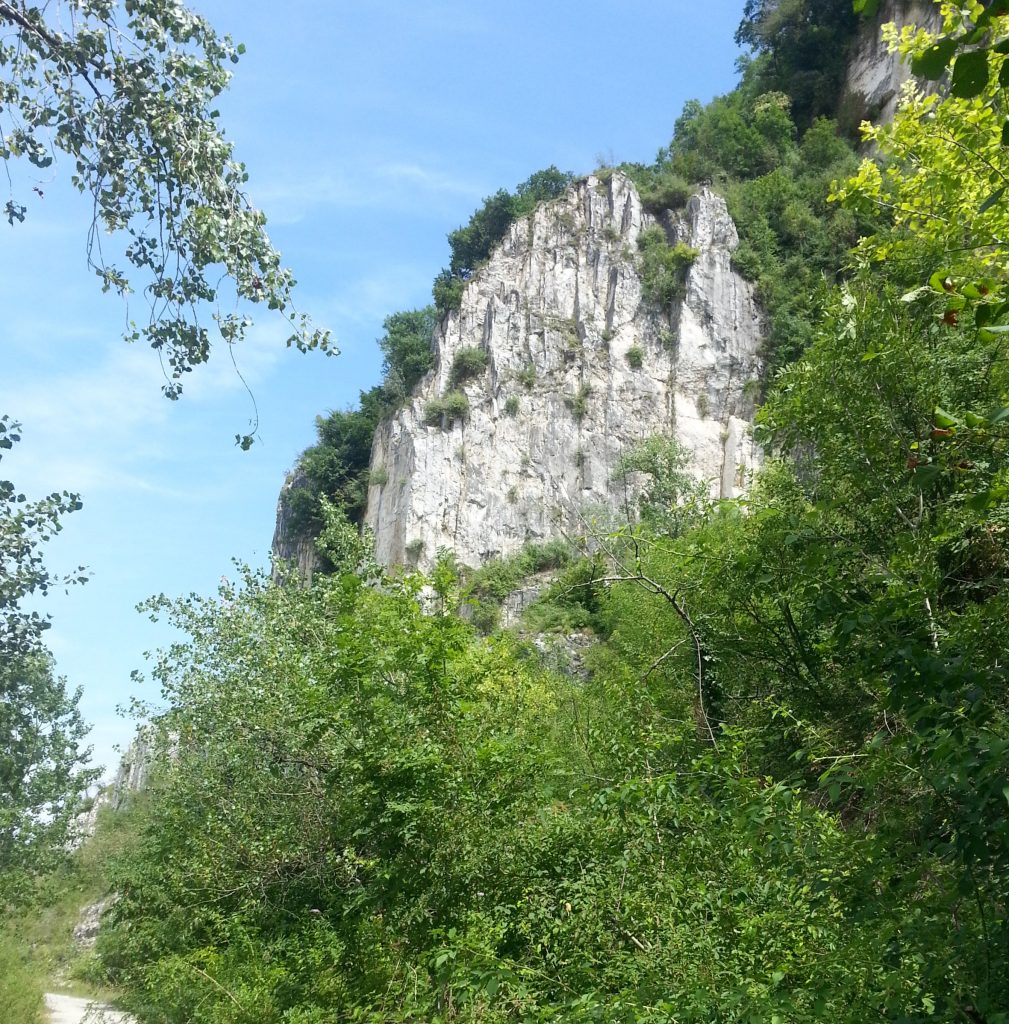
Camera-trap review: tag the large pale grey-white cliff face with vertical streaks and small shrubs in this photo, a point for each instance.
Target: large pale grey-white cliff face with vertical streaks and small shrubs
(580, 368)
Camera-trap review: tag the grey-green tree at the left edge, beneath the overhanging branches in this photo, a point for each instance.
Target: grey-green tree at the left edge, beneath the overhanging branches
(43, 762)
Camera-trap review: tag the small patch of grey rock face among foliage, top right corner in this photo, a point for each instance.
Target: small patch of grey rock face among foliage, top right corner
(875, 76)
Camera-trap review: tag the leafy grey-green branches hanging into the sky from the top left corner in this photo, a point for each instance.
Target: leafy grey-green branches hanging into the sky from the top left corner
(127, 92)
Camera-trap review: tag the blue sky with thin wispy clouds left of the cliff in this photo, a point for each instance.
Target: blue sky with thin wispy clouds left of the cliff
(370, 131)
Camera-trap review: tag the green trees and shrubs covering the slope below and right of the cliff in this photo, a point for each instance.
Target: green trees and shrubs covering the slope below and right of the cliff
(778, 793)
